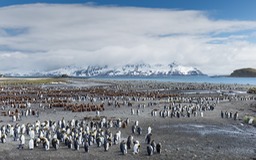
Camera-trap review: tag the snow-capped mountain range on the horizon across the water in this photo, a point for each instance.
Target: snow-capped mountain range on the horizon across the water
(141, 70)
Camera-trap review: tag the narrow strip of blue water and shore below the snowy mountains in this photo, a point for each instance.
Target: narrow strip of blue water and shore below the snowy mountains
(220, 80)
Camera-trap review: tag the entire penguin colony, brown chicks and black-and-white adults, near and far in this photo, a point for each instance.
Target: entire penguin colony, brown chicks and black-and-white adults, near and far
(18, 102)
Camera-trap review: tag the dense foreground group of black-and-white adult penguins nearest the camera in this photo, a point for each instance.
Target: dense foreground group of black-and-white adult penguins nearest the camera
(77, 135)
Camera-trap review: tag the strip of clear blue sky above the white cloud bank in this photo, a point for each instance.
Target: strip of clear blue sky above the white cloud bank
(224, 9)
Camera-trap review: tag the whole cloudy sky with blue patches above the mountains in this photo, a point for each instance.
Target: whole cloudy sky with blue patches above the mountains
(216, 37)
